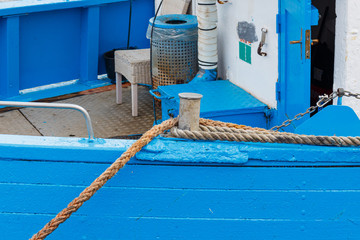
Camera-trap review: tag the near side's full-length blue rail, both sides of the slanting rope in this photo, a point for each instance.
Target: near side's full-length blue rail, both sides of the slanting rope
(172, 151)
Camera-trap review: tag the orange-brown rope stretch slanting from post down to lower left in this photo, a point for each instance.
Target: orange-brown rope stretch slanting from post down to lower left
(103, 178)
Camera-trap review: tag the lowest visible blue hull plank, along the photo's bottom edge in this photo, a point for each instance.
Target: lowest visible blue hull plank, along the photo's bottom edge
(21, 226)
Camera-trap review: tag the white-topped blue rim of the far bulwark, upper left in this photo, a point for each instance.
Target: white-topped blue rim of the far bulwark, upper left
(30, 6)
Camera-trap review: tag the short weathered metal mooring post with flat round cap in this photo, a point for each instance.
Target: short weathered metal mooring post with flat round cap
(189, 113)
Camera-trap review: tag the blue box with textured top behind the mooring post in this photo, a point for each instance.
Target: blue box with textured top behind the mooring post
(223, 101)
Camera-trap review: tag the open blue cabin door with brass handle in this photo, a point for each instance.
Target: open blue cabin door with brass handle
(295, 17)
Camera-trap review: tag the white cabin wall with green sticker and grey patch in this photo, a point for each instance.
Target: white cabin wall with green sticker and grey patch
(258, 78)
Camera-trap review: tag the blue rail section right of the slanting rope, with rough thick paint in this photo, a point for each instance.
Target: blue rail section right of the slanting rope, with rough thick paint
(174, 150)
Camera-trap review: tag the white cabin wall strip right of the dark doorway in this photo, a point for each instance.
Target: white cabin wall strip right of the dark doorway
(347, 50)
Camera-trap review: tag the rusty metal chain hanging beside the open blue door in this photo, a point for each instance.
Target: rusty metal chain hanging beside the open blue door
(324, 99)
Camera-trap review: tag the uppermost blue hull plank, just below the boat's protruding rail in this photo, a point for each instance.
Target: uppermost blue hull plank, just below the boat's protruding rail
(190, 177)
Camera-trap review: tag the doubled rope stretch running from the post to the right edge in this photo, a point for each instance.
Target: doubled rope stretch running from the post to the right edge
(240, 133)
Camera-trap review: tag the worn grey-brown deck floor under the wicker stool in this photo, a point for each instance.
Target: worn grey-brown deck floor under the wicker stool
(109, 119)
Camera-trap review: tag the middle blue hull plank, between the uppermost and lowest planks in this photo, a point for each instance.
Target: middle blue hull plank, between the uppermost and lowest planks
(186, 203)
